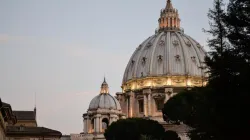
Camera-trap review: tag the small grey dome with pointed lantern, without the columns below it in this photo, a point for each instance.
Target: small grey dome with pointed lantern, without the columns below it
(104, 100)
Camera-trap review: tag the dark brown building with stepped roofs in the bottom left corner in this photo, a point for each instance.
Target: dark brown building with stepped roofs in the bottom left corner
(22, 125)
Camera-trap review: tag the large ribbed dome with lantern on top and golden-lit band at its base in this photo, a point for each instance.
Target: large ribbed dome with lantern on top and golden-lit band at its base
(167, 57)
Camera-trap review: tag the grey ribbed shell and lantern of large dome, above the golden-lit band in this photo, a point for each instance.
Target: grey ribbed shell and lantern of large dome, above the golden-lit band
(169, 52)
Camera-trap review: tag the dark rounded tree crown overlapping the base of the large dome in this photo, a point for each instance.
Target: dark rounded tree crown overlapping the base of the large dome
(191, 107)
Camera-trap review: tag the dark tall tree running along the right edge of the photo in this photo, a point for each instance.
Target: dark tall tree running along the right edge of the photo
(237, 21)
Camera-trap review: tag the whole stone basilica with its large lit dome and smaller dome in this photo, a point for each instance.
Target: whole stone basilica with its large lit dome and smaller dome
(161, 66)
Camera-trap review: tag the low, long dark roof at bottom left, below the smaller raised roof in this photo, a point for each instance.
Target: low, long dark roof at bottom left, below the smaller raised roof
(31, 131)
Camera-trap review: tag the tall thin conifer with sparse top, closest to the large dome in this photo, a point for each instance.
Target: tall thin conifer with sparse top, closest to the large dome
(220, 57)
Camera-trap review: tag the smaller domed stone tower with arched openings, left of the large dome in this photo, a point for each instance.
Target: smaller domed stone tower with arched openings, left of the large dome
(103, 110)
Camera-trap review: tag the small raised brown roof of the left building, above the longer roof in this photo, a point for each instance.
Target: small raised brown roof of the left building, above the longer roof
(25, 115)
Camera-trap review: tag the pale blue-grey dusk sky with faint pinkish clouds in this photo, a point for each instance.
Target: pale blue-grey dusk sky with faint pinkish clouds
(54, 54)
